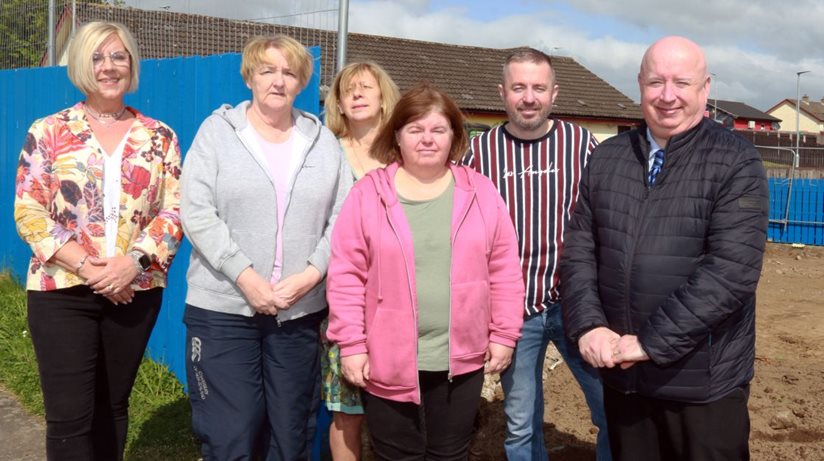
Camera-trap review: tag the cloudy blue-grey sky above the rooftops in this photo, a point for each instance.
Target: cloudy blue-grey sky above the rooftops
(754, 47)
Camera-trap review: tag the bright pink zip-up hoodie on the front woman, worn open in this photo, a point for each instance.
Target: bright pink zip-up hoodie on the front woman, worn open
(371, 281)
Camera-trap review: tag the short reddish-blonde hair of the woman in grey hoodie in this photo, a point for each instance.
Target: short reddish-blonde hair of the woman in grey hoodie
(254, 56)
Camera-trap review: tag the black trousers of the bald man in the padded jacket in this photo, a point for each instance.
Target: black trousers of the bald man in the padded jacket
(648, 429)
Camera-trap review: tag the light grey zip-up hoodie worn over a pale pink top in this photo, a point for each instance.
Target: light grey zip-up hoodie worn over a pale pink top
(228, 209)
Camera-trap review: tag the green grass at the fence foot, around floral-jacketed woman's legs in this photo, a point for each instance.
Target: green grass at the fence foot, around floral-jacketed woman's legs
(159, 413)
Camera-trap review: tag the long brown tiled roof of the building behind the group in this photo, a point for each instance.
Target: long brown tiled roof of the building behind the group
(469, 74)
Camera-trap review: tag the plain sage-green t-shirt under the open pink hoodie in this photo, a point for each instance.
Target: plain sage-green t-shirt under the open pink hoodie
(430, 223)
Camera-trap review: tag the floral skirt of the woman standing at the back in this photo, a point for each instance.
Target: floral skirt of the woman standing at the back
(335, 391)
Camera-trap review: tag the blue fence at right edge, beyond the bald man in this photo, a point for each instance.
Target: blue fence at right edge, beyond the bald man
(805, 220)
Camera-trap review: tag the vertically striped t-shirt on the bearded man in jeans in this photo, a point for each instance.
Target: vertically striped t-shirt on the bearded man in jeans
(538, 180)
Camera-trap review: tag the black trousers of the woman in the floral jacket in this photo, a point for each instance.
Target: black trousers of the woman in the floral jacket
(88, 352)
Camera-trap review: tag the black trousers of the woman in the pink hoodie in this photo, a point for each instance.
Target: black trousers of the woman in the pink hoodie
(440, 429)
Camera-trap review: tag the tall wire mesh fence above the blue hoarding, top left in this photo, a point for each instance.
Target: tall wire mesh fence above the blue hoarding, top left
(27, 28)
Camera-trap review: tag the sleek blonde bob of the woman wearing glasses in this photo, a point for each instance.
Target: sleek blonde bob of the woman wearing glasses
(88, 38)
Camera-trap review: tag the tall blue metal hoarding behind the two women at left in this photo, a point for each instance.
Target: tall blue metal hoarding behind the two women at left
(182, 92)
